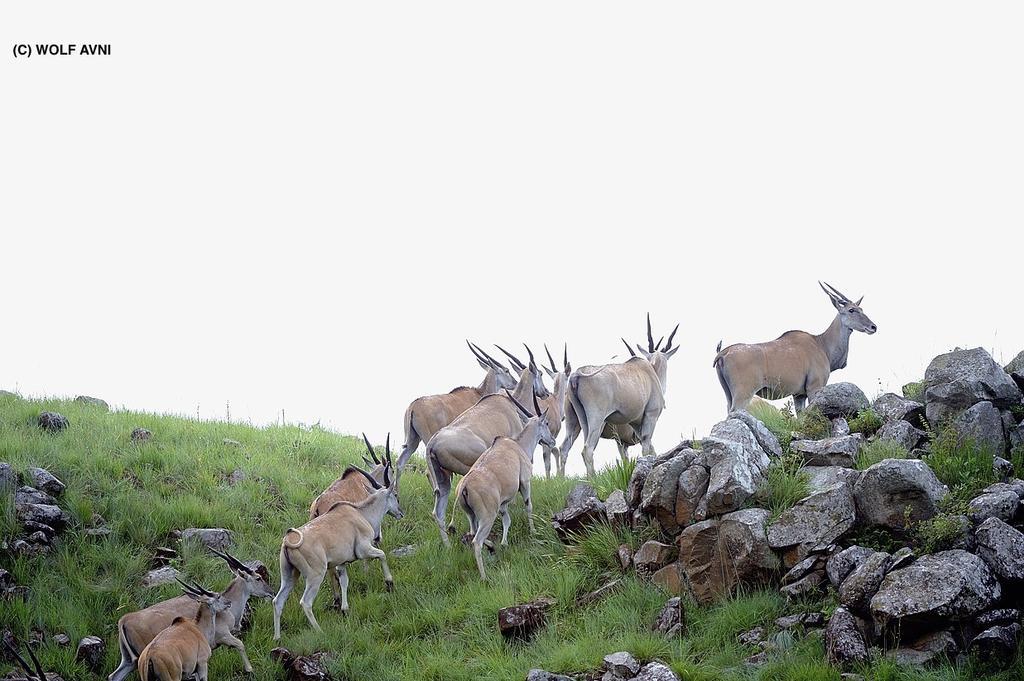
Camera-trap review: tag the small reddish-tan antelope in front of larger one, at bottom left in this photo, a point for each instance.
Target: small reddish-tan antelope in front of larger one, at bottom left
(183, 651)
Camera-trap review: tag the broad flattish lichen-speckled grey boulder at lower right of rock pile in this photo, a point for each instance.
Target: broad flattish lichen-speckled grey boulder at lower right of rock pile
(947, 586)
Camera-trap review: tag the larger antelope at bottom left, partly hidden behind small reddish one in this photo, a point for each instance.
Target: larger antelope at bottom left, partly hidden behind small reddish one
(137, 630)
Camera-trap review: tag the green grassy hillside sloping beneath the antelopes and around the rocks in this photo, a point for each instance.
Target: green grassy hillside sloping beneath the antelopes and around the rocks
(439, 624)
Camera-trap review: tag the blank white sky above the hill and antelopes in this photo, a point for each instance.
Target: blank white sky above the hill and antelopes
(310, 208)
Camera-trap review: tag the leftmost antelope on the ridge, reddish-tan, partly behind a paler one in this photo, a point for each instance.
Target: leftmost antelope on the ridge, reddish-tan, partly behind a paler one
(430, 414)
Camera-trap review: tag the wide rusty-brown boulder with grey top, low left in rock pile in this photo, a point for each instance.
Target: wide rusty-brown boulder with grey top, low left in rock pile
(719, 556)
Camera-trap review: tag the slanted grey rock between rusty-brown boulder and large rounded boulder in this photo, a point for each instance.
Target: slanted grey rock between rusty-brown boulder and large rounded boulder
(814, 523)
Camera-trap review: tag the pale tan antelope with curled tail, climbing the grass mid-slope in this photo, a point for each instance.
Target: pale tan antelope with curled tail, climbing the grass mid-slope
(328, 543)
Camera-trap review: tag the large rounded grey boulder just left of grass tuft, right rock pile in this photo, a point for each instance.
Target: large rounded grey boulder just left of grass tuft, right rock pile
(894, 492)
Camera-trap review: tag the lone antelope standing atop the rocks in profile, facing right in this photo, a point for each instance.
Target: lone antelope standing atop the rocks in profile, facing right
(796, 364)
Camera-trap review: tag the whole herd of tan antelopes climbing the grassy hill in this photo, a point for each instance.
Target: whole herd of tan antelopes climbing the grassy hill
(488, 436)
